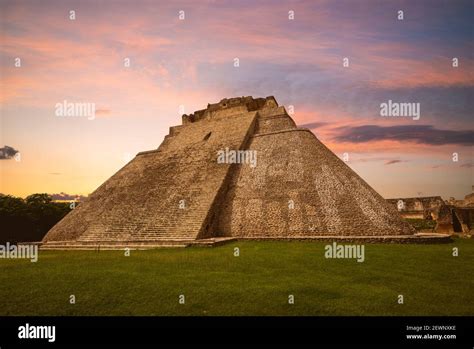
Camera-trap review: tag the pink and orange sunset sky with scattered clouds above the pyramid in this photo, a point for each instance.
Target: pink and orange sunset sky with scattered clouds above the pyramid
(190, 62)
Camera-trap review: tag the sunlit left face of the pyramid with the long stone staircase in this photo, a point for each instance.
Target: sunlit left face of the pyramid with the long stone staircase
(141, 201)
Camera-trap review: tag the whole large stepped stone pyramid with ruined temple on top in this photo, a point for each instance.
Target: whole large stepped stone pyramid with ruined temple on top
(181, 192)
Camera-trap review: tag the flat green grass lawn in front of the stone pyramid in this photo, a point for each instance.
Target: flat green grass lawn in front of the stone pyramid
(258, 282)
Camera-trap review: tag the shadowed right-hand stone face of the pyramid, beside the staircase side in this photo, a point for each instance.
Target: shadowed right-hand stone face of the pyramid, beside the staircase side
(295, 168)
